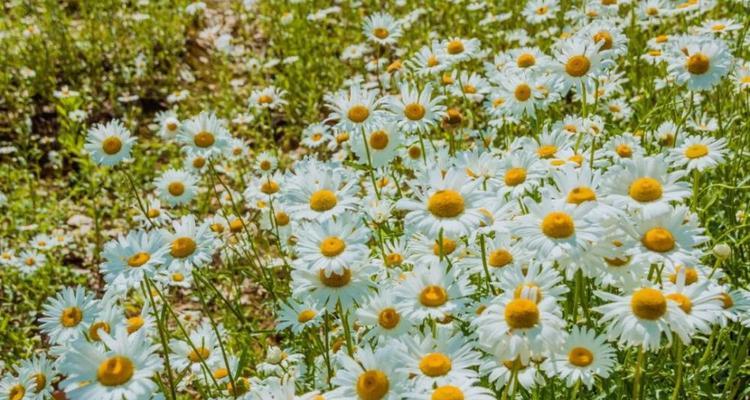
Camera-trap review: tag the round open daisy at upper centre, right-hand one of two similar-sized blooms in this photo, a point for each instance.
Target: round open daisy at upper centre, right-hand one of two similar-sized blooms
(416, 111)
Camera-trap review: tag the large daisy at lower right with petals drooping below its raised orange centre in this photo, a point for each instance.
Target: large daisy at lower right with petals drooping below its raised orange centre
(641, 318)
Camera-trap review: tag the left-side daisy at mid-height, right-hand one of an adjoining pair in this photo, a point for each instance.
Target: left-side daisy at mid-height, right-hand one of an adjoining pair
(189, 244)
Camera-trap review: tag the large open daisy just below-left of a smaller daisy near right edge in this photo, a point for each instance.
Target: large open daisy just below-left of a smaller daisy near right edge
(643, 184)
